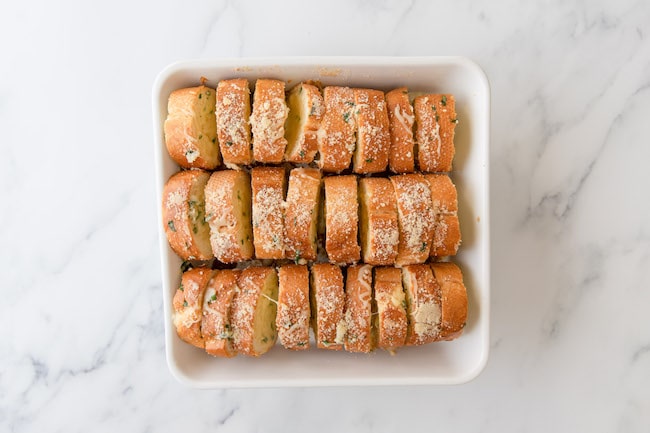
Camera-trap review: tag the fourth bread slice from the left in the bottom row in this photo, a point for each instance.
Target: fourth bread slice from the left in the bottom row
(294, 313)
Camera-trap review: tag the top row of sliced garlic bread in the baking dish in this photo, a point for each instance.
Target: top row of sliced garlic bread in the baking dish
(371, 130)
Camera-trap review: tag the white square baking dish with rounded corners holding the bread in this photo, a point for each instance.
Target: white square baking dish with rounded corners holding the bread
(452, 362)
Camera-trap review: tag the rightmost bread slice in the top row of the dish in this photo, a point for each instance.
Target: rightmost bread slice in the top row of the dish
(436, 122)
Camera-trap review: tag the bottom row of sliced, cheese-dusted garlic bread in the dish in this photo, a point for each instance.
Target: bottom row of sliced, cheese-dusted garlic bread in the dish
(360, 308)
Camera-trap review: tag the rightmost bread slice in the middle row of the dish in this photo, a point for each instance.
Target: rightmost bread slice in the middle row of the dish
(447, 235)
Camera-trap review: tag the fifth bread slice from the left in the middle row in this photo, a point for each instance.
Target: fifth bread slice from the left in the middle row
(341, 219)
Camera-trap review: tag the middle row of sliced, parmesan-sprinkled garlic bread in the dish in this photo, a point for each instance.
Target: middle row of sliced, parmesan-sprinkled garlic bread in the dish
(235, 216)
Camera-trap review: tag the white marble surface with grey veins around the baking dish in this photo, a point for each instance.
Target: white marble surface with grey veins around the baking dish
(81, 335)
